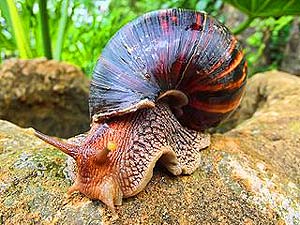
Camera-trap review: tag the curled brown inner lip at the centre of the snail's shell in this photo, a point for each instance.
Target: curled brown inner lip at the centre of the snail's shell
(175, 99)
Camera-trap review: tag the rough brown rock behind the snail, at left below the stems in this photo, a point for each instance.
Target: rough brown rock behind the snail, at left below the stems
(48, 95)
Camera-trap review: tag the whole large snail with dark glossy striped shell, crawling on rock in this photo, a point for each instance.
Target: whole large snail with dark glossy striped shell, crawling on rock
(159, 83)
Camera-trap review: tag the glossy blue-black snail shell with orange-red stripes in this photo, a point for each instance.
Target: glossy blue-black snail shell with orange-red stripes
(170, 49)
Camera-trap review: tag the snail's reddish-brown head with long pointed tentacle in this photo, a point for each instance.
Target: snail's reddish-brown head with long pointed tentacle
(95, 171)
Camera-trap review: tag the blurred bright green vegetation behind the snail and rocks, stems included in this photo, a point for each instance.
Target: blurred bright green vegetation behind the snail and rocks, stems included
(77, 30)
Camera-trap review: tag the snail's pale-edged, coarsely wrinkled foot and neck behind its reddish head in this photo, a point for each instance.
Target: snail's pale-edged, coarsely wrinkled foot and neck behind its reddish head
(155, 132)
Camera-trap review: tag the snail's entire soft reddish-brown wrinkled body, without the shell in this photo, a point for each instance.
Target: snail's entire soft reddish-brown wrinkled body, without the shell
(142, 138)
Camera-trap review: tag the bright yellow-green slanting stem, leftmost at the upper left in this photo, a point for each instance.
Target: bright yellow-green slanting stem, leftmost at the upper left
(18, 30)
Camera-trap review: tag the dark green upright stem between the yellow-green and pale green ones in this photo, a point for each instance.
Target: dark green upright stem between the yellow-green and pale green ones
(45, 29)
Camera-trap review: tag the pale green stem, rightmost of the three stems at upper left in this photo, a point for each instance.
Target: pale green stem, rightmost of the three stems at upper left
(61, 30)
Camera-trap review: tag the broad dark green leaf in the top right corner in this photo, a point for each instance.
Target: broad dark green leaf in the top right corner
(266, 8)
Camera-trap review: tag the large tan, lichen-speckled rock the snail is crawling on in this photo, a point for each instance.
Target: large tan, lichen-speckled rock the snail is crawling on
(249, 175)
